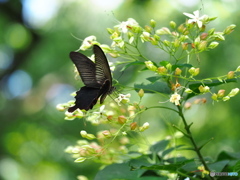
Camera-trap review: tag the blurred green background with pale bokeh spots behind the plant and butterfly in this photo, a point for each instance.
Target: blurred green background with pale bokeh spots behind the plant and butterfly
(36, 74)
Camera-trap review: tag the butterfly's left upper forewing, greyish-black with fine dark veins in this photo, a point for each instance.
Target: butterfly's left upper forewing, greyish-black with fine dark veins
(86, 69)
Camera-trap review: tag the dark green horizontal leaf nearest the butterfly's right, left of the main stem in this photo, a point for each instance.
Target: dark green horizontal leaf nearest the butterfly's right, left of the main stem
(160, 87)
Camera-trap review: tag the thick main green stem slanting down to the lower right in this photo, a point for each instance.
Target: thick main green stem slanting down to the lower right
(196, 148)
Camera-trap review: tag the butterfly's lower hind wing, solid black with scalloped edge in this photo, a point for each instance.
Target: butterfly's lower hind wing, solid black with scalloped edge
(86, 98)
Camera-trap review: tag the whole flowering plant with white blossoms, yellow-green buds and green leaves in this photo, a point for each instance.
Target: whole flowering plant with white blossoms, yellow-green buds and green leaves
(175, 78)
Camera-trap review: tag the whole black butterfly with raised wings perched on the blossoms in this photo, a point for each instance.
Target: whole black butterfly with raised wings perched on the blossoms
(96, 77)
